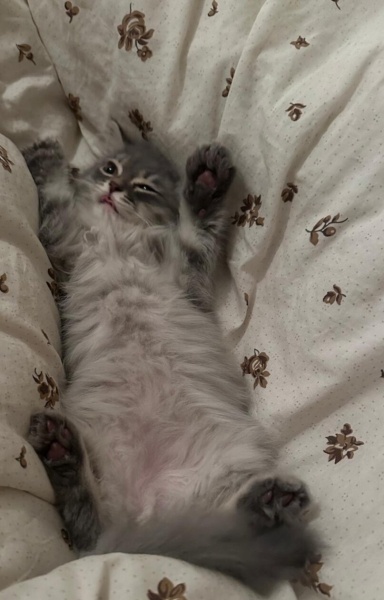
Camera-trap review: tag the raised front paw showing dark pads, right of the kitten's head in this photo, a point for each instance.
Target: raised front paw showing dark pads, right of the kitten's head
(209, 174)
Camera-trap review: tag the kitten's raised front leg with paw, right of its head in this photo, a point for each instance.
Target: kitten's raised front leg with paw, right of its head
(204, 225)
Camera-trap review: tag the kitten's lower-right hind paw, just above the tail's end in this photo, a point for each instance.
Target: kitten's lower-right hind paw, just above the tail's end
(274, 501)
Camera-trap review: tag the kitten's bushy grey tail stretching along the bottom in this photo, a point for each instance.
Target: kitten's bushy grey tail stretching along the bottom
(225, 543)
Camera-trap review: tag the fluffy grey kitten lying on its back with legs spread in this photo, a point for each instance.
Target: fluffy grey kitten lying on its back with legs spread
(156, 452)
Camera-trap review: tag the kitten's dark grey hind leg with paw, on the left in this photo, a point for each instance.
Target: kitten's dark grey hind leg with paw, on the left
(60, 449)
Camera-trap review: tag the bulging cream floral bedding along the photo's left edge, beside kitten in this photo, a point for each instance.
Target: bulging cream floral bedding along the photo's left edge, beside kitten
(31, 371)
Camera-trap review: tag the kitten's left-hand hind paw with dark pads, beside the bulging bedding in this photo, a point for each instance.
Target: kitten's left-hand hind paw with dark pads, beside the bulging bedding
(58, 447)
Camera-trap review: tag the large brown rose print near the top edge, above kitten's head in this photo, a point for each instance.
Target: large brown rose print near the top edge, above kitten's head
(133, 31)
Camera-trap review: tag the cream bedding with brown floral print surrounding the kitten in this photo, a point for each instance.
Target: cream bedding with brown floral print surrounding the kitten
(296, 91)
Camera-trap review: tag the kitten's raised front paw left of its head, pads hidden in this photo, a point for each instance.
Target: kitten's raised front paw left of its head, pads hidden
(43, 158)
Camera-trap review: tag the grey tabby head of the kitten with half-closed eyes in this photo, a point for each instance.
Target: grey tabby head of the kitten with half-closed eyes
(137, 184)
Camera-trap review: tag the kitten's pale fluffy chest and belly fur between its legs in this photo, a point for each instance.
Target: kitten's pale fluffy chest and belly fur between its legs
(153, 392)
